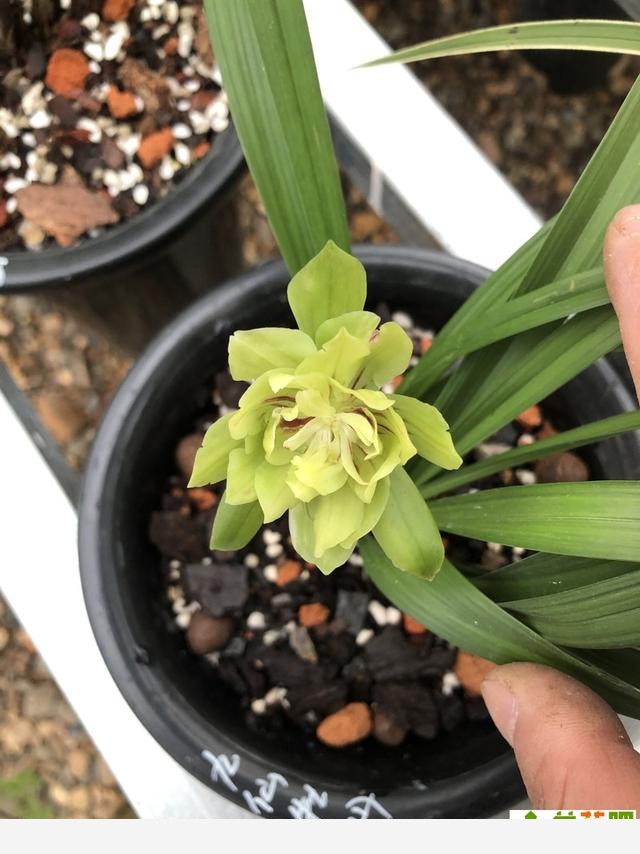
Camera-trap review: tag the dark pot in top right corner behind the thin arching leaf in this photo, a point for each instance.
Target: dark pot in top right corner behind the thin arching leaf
(569, 71)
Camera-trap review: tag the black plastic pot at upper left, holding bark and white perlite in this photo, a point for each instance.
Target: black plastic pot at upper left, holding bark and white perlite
(135, 277)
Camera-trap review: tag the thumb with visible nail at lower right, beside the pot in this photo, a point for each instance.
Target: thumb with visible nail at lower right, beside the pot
(571, 748)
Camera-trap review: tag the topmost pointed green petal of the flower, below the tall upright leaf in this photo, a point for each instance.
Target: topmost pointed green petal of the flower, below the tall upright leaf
(332, 283)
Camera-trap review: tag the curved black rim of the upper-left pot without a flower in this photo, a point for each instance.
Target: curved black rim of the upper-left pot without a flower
(25, 271)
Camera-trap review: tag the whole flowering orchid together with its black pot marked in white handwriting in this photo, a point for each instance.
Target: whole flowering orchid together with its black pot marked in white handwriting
(336, 441)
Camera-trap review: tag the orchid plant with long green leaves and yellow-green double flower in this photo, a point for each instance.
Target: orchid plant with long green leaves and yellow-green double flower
(538, 321)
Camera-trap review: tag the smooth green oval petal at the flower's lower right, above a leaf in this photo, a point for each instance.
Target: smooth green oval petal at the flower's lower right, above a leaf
(406, 531)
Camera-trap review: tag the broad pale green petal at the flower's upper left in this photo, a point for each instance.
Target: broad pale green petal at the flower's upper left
(253, 352)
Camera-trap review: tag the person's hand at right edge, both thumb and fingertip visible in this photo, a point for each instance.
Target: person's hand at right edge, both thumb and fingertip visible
(570, 746)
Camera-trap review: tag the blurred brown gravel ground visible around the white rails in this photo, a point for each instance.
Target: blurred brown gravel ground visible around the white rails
(540, 140)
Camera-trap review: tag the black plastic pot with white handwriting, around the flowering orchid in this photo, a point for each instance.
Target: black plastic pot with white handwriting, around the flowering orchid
(468, 773)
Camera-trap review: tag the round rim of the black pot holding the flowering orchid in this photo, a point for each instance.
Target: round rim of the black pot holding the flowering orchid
(481, 790)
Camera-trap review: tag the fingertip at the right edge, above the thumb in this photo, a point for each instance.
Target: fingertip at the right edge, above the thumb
(622, 273)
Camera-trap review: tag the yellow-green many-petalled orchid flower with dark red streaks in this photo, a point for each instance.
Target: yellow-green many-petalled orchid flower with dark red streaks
(315, 436)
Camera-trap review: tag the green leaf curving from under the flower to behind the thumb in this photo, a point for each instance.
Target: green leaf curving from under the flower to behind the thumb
(454, 609)
